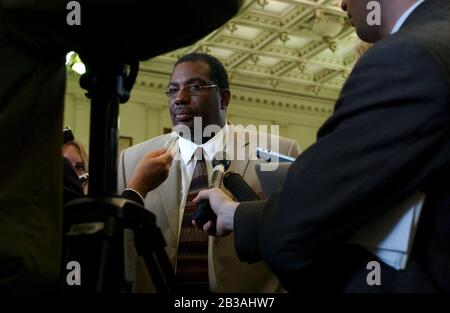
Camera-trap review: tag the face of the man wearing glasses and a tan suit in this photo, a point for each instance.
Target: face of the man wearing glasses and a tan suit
(209, 103)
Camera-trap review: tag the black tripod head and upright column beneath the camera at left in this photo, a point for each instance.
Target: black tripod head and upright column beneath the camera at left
(107, 85)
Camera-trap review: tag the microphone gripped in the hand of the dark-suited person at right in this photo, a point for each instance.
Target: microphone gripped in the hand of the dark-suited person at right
(203, 212)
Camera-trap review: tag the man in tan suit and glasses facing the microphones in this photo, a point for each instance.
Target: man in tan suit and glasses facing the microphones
(226, 272)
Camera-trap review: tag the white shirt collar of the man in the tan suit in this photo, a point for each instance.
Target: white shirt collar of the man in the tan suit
(210, 148)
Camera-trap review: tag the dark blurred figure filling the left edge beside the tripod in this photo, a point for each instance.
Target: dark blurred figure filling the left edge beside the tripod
(32, 88)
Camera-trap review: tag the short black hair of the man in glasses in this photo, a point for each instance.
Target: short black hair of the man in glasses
(217, 72)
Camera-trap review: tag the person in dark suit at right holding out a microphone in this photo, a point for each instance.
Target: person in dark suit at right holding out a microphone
(388, 137)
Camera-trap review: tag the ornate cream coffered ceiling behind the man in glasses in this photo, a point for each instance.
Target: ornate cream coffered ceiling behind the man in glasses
(294, 47)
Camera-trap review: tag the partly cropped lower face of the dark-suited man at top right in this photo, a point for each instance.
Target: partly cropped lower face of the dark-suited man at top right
(357, 13)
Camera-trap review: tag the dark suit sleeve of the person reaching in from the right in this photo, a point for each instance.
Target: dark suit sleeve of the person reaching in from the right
(383, 141)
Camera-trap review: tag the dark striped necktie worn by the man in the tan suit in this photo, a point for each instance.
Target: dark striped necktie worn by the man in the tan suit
(192, 258)
